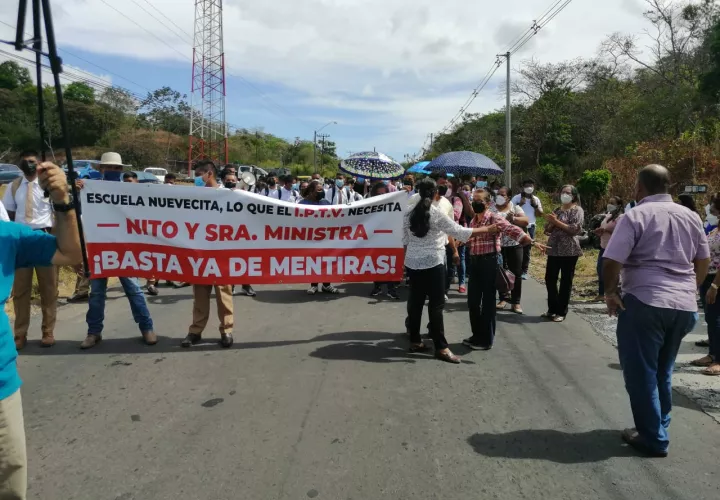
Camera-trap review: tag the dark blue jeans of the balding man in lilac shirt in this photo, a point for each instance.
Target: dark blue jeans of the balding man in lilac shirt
(648, 342)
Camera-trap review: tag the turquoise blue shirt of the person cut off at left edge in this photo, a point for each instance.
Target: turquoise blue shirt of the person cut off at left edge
(20, 246)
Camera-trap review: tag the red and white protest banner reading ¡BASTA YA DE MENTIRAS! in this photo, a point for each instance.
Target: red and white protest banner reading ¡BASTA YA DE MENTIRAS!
(217, 236)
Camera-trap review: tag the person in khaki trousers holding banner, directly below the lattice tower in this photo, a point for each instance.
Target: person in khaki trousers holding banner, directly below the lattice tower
(205, 169)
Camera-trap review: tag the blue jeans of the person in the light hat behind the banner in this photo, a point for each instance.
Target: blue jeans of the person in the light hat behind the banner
(138, 306)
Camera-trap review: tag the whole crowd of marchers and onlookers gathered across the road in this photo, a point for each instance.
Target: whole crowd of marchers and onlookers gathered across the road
(456, 228)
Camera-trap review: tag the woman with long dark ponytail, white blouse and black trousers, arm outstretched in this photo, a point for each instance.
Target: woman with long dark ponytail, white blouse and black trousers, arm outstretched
(425, 233)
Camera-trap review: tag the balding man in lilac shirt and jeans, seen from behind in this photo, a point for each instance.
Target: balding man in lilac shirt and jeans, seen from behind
(663, 253)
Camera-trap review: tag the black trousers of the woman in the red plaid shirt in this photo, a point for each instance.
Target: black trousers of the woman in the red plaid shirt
(481, 298)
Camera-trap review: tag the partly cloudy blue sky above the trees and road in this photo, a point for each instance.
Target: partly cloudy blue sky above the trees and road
(389, 72)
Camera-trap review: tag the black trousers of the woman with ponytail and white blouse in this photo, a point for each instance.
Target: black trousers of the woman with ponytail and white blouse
(427, 283)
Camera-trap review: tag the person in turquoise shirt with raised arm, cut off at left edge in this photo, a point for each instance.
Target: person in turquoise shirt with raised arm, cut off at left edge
(23, 247)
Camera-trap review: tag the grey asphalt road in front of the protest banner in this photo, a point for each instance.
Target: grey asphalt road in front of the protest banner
(318, 399)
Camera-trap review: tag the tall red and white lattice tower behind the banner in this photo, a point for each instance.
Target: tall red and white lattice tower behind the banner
(208, 128)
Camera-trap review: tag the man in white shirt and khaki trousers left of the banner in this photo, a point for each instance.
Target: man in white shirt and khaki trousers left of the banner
(27, 204)
